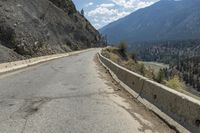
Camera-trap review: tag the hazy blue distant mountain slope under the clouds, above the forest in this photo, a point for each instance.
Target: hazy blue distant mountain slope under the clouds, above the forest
(164, 20)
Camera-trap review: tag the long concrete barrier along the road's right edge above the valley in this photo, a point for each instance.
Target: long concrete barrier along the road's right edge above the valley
(179, 110)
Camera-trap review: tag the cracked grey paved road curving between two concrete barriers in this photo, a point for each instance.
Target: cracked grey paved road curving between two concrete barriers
(70, 95)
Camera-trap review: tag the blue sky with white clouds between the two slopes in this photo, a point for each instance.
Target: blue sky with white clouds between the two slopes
(103, 12)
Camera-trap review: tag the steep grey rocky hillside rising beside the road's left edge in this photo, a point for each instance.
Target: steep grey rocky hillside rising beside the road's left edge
(30, 28)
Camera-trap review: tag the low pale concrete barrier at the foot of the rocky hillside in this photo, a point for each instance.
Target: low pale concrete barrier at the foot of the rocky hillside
(10, 66)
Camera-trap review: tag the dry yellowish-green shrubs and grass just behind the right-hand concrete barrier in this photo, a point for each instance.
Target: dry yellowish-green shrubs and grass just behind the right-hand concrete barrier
(120, 56)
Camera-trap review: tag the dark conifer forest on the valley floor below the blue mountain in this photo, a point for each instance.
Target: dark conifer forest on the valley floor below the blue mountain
(183, 58)
